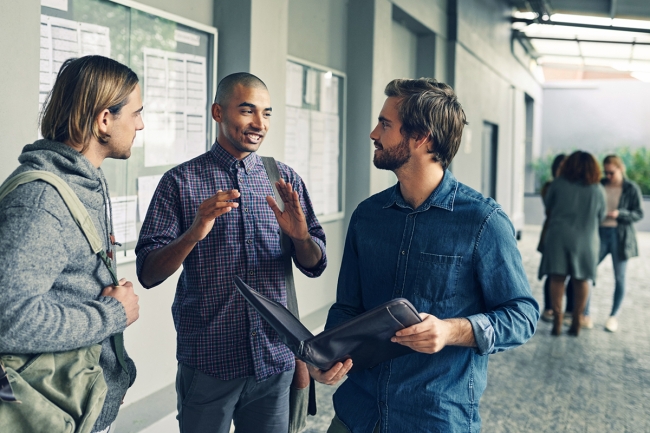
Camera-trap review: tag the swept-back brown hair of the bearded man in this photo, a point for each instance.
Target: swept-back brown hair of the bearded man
(428, 107)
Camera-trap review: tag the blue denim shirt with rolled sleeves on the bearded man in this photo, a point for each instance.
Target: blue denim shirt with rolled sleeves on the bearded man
(454, 256)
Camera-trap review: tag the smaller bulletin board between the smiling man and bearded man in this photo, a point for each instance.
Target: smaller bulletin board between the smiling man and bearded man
(315, 133)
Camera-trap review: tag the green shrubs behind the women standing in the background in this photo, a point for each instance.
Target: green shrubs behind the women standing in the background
(637, 162)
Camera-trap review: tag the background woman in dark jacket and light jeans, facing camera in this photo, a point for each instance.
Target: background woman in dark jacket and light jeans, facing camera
(617, 233)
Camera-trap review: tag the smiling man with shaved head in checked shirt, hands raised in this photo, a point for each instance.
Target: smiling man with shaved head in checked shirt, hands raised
(215, 216)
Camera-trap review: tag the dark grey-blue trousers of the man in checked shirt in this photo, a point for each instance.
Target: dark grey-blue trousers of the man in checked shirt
(208, 405)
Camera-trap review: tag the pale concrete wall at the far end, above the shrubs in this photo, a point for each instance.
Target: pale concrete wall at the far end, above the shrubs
(596, 115)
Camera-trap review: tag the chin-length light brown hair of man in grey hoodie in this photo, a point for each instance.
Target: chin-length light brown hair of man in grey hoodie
(84, 87)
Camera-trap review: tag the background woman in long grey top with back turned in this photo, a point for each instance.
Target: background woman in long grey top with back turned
(575, 203)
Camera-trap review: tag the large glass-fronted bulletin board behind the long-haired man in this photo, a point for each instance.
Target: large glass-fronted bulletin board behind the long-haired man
(174, 58)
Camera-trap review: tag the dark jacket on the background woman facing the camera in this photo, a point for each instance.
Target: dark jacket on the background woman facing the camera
(630, 210)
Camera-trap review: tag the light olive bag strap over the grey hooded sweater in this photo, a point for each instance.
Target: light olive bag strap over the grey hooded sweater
(81, 217)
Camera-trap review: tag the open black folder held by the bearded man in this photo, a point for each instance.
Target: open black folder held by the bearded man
(365, 338)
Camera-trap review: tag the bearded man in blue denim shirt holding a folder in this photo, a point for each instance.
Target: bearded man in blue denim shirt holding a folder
(448, 250)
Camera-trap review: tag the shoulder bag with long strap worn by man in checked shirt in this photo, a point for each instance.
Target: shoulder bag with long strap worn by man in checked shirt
(302, 392)
